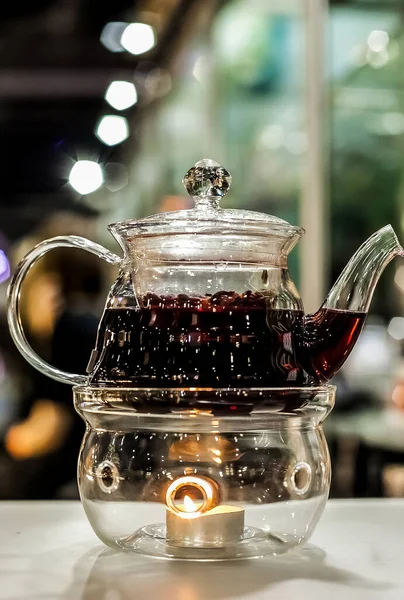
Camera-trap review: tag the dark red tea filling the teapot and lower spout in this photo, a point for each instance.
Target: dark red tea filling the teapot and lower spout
(221, 341)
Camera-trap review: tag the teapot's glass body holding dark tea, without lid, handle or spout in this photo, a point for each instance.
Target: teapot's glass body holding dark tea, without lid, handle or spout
(188, 314)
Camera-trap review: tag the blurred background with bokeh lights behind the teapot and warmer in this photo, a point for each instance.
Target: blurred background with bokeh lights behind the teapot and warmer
(103, 108)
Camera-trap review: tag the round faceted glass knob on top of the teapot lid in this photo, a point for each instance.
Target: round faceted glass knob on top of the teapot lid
(206, 182)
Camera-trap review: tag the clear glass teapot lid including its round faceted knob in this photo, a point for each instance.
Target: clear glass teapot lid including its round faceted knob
(206, 182)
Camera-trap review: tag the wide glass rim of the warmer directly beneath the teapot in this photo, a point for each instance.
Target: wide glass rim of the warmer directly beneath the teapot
(199, 409)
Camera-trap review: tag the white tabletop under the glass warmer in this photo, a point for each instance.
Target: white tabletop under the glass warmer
(48, 551)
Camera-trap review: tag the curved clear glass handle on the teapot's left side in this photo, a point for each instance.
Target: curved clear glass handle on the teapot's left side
(14, 291)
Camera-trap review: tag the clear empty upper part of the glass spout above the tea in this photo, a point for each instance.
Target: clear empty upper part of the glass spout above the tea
(353, 290)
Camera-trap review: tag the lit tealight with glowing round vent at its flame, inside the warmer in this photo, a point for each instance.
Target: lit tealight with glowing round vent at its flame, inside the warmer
(201, 523)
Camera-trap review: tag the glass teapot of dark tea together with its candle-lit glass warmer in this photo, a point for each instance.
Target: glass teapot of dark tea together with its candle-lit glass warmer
(208, 385)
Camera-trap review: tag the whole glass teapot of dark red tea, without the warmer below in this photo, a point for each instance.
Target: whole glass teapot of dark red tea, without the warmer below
(204, 300)
